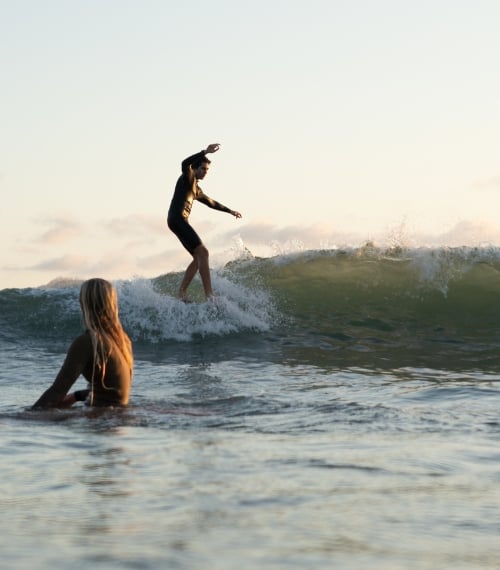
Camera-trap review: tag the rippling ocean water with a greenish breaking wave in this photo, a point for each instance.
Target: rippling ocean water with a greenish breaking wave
(333, 409)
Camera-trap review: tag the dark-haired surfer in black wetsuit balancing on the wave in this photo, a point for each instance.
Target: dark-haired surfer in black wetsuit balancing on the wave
(194, 168)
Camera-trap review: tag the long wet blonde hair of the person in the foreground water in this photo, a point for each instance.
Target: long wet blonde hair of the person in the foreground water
(99, 304)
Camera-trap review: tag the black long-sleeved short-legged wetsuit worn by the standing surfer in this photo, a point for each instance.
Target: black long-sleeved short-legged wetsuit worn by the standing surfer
(186, 191)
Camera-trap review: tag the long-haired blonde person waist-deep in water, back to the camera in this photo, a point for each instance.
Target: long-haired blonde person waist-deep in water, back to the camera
(102, 354)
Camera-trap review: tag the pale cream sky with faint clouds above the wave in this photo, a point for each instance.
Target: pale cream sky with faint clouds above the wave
(339, 121)
